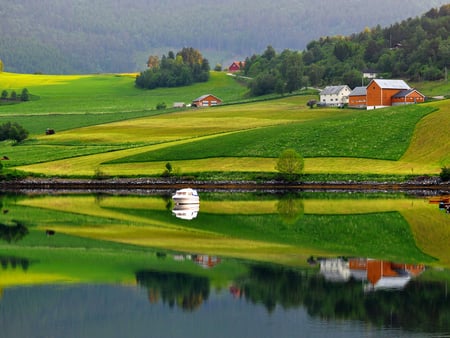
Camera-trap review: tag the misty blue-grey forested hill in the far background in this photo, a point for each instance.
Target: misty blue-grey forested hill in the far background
(87, 36)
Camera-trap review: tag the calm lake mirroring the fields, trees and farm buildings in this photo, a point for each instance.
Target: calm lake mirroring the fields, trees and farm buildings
(240, 264)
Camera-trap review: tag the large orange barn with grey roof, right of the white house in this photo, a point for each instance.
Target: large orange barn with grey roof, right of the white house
(385, 93)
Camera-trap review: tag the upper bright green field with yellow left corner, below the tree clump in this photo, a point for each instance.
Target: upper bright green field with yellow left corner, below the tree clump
(110, 93)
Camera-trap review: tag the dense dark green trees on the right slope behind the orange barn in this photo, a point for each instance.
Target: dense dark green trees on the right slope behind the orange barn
(415, 49)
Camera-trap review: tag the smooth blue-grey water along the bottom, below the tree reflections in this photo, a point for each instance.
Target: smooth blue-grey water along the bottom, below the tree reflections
(125, 311)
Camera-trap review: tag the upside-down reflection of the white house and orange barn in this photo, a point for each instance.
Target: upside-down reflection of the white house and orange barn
(376, 274)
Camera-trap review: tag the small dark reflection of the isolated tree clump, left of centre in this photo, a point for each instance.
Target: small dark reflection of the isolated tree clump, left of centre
(183, 290)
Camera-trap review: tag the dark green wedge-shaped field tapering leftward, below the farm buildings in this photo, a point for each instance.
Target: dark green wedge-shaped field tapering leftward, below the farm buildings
(384, 134)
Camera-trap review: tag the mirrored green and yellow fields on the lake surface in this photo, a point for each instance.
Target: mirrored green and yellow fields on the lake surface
(106, 238)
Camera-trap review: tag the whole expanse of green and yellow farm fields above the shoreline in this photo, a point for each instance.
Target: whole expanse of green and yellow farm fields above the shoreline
(104, 124)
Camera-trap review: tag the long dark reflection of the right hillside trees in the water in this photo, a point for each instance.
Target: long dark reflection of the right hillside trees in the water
(420, 306)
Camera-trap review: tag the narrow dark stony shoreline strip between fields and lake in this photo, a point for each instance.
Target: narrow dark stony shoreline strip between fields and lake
(152, 184)
